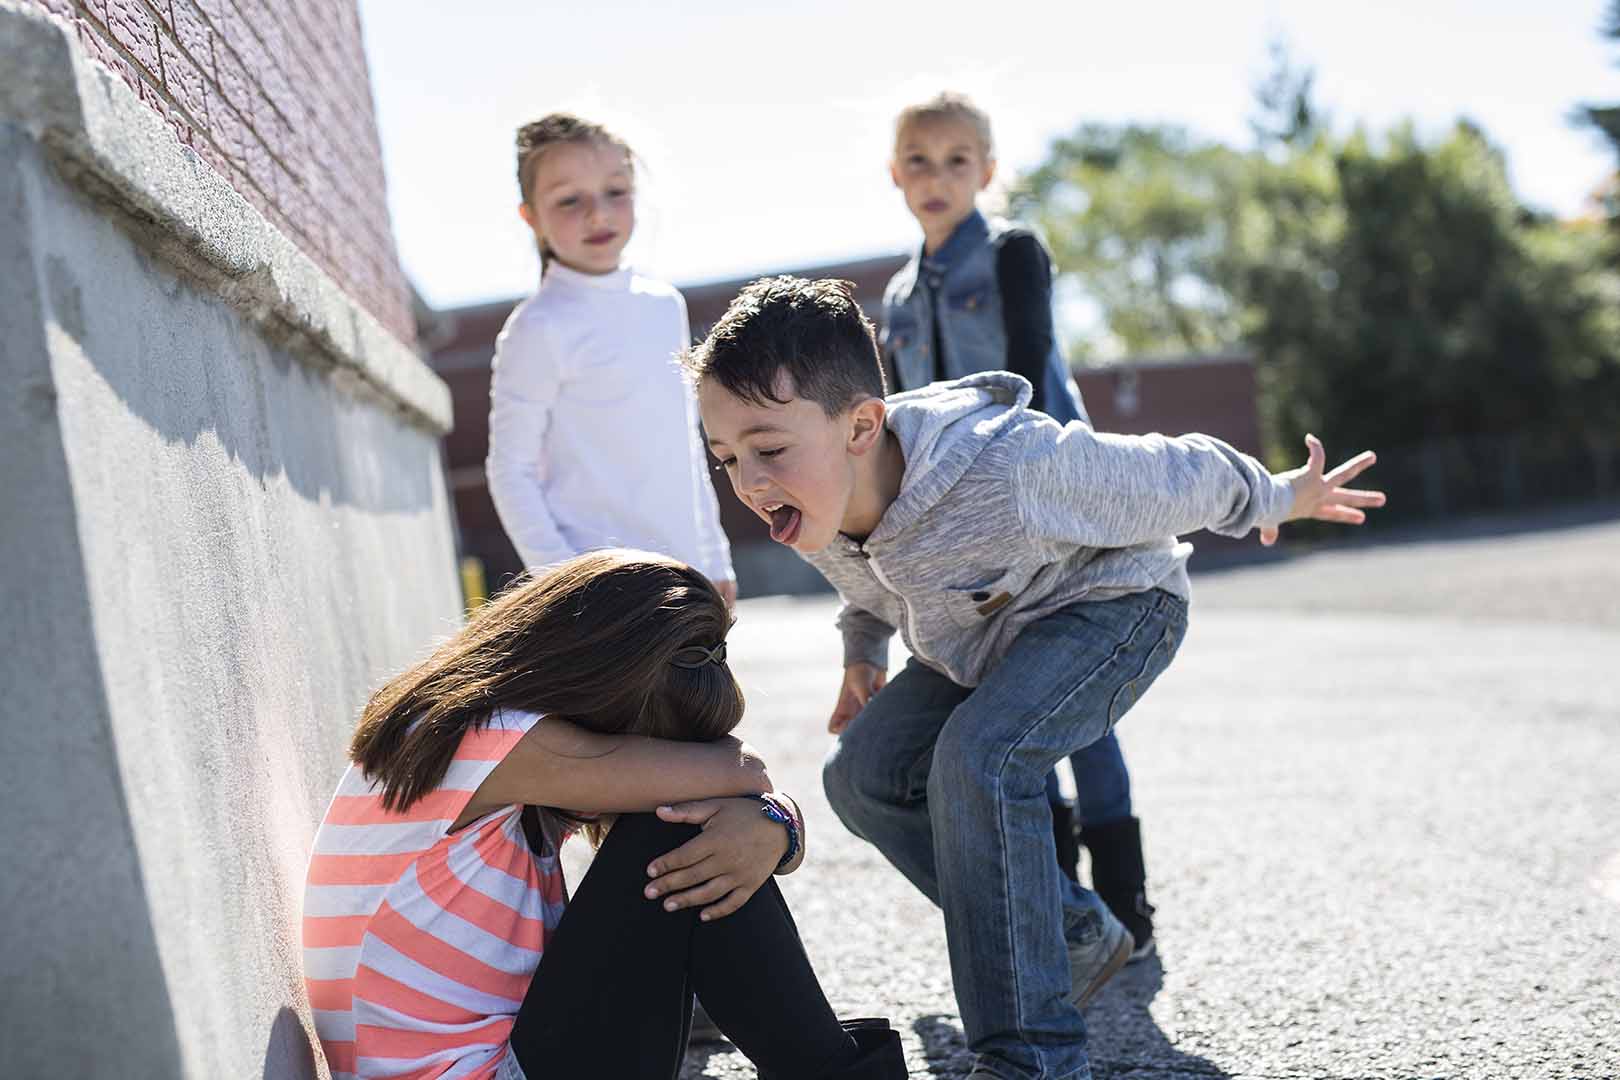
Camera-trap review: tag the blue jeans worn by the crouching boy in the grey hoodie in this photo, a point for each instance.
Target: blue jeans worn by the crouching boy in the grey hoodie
(983, 757)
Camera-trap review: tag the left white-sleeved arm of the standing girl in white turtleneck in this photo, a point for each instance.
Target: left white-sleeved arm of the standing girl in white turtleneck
(524, 389)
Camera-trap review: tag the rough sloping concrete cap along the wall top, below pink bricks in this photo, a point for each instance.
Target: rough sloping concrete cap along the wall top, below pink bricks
(117, 151)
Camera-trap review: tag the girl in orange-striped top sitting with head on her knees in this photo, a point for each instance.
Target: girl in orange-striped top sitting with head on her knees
(438, 935)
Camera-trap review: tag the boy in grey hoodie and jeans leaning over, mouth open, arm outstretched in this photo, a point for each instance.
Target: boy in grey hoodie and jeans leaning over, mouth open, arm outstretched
(1033, 571)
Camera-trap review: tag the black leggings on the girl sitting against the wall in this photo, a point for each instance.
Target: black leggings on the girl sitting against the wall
(613, 993)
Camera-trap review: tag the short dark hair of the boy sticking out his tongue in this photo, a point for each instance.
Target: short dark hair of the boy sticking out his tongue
(814, 333)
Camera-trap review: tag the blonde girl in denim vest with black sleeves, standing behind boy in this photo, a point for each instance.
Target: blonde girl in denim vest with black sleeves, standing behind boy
(979, 299)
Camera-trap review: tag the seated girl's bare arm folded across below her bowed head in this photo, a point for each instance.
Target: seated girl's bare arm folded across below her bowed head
(563, 765)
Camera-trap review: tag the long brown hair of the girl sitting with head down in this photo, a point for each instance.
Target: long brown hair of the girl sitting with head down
(592, 642)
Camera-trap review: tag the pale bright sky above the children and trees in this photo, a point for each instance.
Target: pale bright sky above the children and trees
(764, 129)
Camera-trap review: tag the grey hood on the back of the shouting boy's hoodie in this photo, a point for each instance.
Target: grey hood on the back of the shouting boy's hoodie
(942, 430)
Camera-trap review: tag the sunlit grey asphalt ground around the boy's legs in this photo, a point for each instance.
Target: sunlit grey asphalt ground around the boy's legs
(1396, 856)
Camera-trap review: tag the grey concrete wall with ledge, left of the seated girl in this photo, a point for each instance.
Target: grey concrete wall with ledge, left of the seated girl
(223, 519)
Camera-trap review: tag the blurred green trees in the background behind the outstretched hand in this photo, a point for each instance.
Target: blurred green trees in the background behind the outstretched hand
(1394, 289)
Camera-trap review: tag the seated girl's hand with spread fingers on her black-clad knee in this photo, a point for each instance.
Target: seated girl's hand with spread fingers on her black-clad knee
(722, 867)
